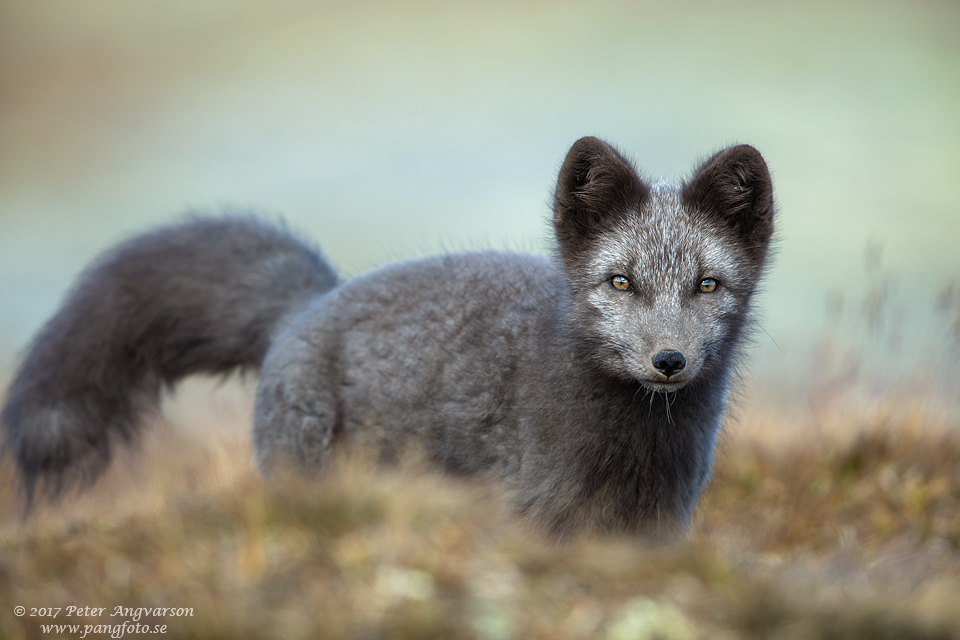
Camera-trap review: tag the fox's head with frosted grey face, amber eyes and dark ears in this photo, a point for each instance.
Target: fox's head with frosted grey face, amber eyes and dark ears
(661, 275)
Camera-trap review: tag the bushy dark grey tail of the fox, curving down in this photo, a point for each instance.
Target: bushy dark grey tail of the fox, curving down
(203, 296)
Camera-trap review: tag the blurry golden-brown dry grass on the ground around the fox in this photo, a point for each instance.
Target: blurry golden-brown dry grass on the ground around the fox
(836, 521)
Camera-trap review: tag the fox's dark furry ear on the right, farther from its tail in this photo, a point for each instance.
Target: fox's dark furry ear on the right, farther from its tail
(734, 186)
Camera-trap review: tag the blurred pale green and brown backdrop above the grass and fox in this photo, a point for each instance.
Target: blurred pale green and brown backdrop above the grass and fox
(385, 130)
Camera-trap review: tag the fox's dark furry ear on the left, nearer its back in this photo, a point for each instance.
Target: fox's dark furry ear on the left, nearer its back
(596, 187)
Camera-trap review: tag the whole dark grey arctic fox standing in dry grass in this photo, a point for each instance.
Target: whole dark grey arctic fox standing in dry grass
(592, 384)
